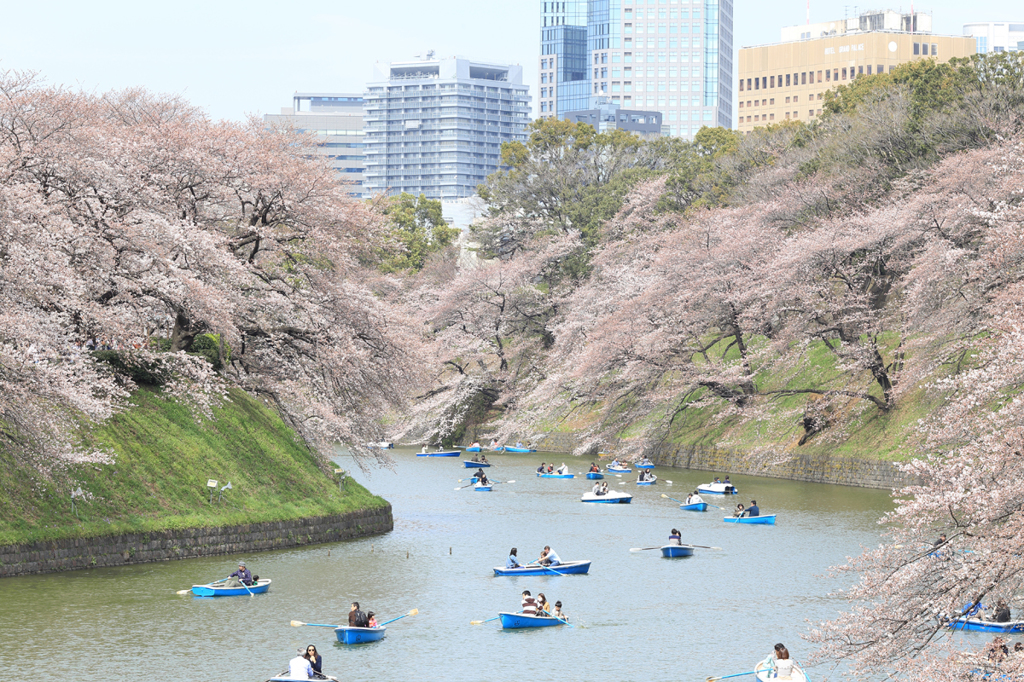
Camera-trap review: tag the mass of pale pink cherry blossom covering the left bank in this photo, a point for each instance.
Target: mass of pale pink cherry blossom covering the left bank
(130, 218)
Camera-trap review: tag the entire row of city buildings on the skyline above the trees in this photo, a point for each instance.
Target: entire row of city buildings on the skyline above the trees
(436, 126)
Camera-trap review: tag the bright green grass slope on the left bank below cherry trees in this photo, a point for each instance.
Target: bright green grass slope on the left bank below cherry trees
(158, 480)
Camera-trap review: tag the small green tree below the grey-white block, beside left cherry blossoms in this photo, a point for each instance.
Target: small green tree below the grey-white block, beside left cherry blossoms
(417, 230)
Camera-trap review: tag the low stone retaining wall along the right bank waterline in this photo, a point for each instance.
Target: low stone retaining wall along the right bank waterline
(816, 468)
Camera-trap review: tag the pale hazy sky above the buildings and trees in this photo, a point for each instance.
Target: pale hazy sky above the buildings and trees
(235, 58)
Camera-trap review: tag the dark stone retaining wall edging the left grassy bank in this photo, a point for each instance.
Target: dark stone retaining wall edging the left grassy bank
(46, 558)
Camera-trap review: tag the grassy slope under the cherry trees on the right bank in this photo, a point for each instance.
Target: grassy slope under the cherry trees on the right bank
(858, 429)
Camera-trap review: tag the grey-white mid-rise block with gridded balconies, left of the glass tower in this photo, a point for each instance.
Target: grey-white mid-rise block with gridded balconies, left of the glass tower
(436, 126)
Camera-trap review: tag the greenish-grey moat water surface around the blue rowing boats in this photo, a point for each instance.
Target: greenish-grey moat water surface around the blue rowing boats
(638, 616)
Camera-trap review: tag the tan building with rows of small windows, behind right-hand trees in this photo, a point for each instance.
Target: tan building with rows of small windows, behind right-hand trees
(788, 80)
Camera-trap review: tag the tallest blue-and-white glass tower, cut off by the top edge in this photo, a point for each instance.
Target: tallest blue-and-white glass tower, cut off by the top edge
(671, 57)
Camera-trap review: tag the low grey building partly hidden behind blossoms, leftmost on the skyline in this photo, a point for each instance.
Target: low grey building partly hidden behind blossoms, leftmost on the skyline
(336, 121)
